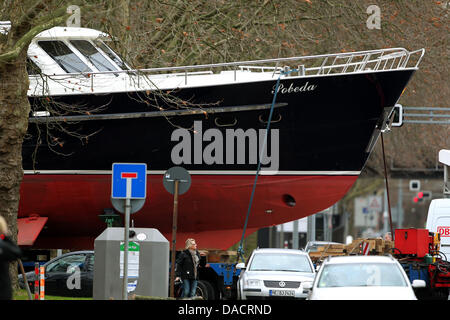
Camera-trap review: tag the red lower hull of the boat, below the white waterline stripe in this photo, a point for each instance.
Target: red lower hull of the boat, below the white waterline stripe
(212, 211)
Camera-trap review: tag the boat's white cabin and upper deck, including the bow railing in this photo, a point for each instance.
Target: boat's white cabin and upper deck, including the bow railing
(79, 61)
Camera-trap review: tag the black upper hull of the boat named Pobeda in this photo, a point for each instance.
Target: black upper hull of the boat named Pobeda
(327, 128)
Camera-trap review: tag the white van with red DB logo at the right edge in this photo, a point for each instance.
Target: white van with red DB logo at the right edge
(438, 220)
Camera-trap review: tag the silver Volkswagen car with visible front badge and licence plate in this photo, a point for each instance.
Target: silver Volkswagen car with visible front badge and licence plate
(276, 273)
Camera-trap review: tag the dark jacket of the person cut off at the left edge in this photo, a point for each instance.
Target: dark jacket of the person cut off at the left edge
(8, 252)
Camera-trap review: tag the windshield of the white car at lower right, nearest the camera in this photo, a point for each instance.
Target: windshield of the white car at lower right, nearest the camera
(361, 275)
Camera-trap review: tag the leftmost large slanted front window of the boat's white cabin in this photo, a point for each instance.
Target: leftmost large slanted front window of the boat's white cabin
(65, 57)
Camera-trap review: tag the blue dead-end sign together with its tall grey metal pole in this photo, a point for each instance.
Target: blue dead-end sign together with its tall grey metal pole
(129, 182)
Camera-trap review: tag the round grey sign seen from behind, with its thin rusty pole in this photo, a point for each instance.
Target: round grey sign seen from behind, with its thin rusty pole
(171, 181)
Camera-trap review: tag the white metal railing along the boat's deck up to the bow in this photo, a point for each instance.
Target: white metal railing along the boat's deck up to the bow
(317, 65)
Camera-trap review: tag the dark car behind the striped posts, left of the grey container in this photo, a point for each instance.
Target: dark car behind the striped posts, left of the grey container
(70, 274)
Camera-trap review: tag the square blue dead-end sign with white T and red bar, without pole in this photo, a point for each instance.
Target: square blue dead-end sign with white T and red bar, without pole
(129, 180)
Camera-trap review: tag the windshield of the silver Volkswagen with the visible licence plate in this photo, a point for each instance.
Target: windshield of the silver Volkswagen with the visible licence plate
(280, 262)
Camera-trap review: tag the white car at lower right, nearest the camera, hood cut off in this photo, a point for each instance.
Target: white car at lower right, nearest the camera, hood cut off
(363, 278)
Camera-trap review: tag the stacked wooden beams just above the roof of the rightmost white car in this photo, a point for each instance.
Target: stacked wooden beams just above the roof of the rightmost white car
(377, 246)
